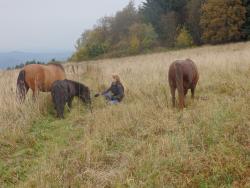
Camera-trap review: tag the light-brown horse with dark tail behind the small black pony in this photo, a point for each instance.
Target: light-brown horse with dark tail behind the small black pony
(38, 78)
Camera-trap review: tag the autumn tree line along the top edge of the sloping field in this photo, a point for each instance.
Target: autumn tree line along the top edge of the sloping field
(165, 24)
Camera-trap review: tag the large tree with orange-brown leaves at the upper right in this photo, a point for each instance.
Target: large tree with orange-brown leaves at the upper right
(222, 20)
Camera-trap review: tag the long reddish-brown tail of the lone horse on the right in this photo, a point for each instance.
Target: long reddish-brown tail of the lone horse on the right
(179, 84)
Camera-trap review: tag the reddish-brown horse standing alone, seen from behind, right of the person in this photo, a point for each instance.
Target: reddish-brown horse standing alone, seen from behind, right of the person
(182, 75)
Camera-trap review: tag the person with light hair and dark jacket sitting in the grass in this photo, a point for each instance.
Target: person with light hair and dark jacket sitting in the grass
(115, 93)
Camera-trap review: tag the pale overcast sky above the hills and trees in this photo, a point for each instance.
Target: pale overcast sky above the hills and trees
(50, 25)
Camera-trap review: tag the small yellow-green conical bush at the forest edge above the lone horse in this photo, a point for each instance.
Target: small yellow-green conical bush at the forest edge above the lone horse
(184, 39)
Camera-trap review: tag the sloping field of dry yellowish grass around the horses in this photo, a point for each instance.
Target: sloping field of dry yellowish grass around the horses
(142, 142)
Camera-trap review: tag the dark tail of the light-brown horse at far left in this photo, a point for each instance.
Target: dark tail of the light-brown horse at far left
(22, 86)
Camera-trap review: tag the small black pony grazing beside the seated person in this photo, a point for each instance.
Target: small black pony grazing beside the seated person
(63, 91)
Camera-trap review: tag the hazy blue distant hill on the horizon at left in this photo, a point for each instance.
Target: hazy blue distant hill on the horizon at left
(11, 59)
